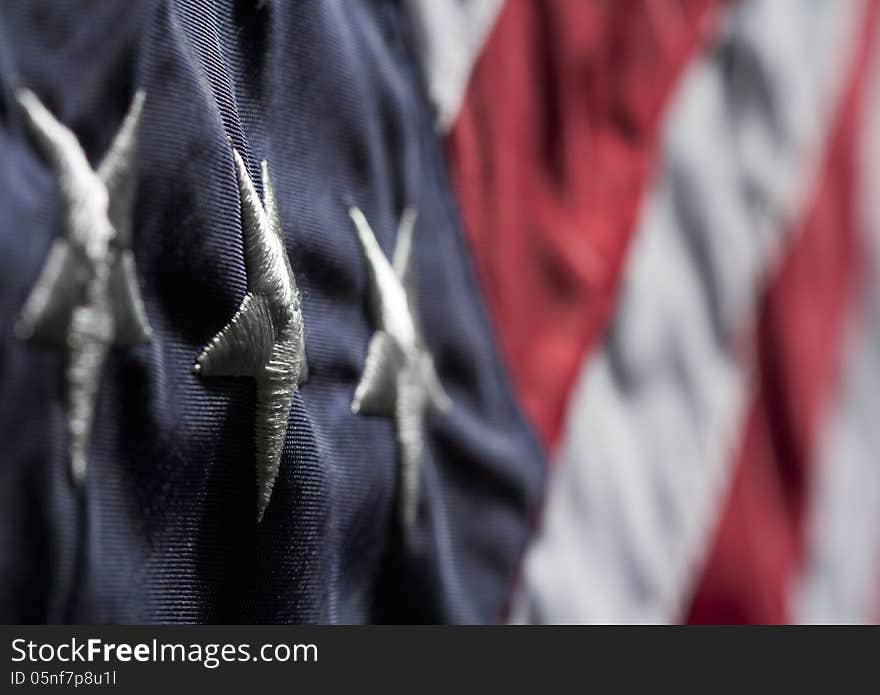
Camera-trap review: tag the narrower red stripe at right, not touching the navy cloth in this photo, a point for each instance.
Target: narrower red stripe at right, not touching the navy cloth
(760, 541)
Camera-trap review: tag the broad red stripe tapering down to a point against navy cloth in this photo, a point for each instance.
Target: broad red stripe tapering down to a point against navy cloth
(549, 157)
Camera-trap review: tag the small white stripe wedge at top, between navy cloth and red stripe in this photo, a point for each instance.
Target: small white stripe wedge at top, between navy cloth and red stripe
(451, 35)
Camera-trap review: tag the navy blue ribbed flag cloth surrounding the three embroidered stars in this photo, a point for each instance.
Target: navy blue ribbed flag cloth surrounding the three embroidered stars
(164, 529)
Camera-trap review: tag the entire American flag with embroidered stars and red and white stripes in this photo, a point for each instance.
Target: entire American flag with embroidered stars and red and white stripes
(440, 311)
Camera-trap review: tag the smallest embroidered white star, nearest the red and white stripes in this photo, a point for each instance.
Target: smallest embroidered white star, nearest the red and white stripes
(399, 378)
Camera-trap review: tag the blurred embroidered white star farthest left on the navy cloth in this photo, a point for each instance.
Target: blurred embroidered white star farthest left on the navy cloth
(86, 298)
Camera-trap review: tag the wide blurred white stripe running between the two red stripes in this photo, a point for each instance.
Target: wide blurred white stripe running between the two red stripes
(645, 459)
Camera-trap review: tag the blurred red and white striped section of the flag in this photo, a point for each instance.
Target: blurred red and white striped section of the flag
(672, 207)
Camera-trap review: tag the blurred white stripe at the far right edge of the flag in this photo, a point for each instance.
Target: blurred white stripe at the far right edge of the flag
(841, 580)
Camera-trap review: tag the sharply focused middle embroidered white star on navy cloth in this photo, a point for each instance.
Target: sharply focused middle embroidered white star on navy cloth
(264, 338)
